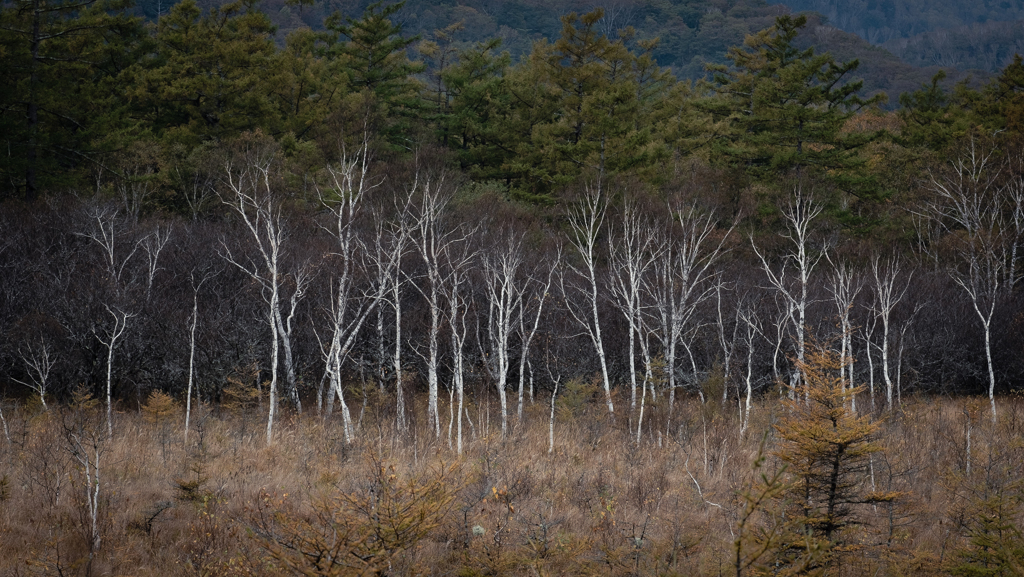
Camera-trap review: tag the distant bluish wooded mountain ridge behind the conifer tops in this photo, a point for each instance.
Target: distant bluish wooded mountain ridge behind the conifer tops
(693, 33)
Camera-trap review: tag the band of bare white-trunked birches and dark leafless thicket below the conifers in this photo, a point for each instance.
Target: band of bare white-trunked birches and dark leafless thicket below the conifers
(407, 268)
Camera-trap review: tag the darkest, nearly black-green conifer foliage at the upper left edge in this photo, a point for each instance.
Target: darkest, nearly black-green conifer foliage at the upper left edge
(61, 106)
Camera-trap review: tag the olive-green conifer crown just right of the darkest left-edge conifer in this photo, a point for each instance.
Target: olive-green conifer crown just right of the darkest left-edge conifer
(207, 79)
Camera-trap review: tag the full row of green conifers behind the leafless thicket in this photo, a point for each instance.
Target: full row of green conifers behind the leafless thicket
(95, 100)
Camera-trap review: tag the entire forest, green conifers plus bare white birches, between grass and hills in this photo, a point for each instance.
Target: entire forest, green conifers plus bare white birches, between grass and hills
(336, 221)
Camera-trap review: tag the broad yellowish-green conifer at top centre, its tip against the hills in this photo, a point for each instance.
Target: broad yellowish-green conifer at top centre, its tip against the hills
(584, 106)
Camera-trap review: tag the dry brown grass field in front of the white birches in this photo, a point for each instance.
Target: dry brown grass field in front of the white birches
(228, 504)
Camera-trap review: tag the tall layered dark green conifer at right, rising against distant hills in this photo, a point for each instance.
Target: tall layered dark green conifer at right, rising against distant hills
(785, 111)
